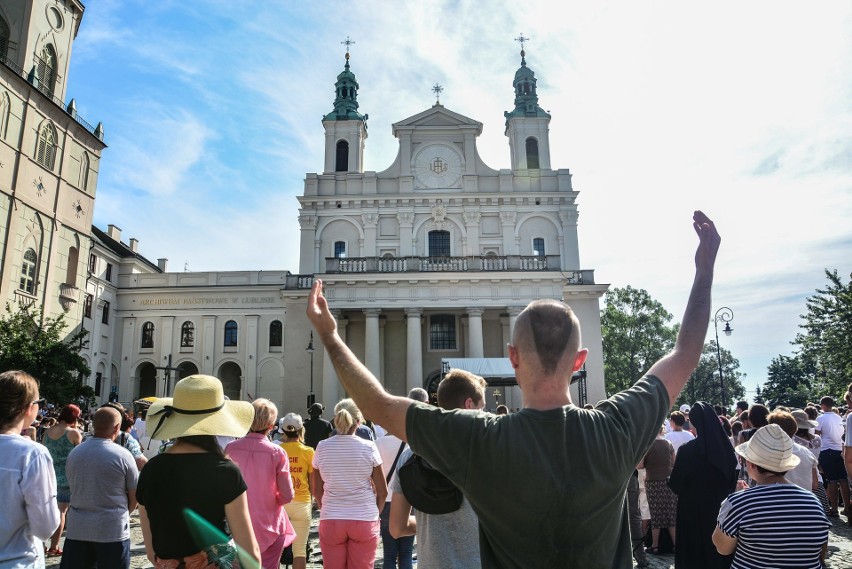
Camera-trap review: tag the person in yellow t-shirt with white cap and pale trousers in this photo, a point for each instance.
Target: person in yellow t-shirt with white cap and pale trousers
(301, 458)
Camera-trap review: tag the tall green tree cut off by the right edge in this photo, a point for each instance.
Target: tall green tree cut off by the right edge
(827, 334)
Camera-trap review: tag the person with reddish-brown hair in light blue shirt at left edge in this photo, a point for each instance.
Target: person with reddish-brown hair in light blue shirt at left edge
(27, 480)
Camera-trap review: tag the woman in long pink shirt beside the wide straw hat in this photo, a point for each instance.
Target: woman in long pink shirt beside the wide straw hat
(266, 469)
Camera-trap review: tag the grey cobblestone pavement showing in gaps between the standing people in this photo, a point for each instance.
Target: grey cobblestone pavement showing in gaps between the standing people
(839, 548)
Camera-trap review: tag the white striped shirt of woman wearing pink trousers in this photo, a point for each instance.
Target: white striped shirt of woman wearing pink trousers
(345, 463)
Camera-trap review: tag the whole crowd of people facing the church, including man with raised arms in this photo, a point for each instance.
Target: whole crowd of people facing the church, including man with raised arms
(549, 485)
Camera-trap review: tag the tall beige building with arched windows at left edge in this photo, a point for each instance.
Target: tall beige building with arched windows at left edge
(49, 162)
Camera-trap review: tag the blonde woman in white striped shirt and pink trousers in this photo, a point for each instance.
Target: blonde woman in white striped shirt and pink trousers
(350, 490)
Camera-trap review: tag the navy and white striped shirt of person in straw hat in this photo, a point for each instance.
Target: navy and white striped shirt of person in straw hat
(779, 526)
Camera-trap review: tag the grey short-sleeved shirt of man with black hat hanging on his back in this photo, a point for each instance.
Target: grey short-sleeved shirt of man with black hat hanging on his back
(446, 540)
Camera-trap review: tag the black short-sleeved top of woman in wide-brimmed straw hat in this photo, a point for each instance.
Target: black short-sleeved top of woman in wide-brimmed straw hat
(201, 482)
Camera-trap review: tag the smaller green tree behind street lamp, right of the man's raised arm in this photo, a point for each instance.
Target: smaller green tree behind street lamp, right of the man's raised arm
(704, 384)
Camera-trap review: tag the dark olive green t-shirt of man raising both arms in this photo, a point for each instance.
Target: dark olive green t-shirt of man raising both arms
(548, 486)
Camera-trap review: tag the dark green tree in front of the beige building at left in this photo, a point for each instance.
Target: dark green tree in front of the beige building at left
(38, 345)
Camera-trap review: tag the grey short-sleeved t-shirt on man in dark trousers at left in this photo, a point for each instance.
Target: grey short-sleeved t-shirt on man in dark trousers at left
(100, 473)
